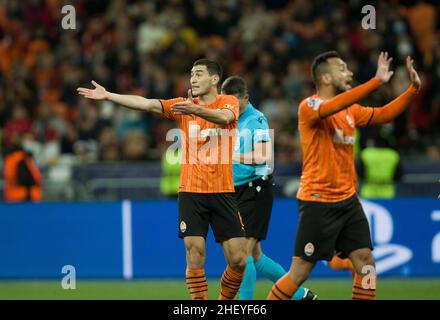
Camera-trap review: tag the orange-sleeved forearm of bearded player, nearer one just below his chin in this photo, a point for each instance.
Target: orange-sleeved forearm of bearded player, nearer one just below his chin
(346, 99)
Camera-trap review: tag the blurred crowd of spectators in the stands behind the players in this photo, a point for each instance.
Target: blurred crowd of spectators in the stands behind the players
(148, 47)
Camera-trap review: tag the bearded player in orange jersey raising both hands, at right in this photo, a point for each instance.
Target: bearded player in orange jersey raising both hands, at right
(330, 215)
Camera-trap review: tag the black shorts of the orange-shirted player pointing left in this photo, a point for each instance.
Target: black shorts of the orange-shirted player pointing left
(199, 210)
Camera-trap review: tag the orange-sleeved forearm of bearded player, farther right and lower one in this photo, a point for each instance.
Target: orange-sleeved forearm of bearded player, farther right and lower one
(394, 108)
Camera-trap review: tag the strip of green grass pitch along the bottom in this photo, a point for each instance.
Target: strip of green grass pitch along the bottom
(388, 289)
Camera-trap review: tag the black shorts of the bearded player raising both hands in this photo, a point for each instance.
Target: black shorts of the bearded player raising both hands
(325, 228)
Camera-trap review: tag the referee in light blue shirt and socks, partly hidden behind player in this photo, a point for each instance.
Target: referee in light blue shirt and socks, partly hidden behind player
(253, 184)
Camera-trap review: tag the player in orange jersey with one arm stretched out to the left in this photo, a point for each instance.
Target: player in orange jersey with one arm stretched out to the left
(206, 191)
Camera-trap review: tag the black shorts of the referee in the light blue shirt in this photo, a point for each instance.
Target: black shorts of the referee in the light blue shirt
(255, 200)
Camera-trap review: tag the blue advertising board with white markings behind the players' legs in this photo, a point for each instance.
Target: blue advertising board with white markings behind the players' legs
(139, 239)
